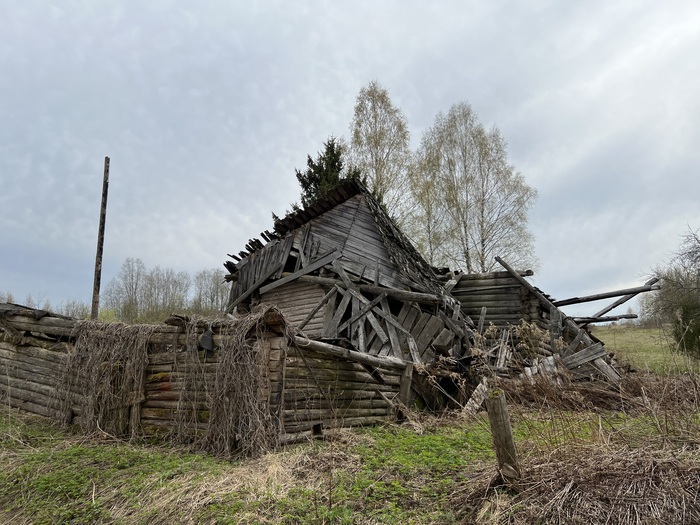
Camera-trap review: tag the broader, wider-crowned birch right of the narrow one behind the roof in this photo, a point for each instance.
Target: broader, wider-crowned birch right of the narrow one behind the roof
(485, 200)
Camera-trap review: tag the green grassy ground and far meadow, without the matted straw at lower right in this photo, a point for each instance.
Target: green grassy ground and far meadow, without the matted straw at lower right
(389, 474)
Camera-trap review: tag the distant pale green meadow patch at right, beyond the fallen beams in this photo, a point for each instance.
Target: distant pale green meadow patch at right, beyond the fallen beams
(648, 349)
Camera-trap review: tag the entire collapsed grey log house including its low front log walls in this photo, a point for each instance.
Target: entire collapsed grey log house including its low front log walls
(337, 321)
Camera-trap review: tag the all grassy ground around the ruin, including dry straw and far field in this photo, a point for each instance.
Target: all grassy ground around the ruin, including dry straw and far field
(637, 462)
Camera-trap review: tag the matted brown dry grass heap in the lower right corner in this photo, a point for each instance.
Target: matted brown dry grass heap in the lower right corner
(593, 484)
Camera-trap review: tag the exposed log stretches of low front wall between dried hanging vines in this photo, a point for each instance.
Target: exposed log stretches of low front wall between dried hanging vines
(303, 389)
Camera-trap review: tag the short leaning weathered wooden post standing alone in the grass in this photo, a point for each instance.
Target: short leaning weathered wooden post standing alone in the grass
(502, 433)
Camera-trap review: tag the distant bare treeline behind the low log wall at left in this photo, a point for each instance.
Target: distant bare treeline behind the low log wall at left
(138, 294)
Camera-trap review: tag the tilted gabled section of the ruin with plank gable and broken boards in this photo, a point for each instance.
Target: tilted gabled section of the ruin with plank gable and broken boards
(343, 274)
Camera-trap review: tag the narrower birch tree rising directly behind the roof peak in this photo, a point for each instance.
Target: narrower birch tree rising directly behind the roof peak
(380, 147)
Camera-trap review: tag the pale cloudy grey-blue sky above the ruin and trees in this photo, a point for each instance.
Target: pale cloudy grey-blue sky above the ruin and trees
(206, 108)
